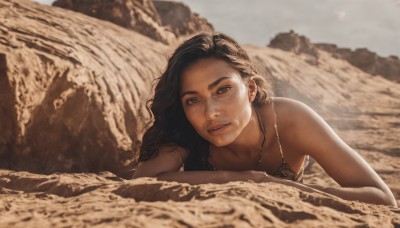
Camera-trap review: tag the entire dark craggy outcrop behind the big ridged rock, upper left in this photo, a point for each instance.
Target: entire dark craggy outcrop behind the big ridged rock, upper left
(163, 21)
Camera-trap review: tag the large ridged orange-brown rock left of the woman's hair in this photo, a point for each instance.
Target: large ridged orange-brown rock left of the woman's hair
(73, 90)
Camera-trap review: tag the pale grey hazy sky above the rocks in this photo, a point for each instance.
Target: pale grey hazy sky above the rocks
(374, 24)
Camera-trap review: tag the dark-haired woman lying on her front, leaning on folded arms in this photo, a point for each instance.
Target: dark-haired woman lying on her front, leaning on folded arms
(214, 116)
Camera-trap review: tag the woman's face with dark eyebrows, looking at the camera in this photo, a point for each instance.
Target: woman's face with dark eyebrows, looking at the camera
(215, 100)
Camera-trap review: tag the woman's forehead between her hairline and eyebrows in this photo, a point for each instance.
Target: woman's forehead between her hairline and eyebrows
(205, 71)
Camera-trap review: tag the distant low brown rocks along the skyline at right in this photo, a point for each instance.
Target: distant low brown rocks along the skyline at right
(361, 58)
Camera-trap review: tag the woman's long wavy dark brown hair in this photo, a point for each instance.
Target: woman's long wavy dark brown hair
(168, 124)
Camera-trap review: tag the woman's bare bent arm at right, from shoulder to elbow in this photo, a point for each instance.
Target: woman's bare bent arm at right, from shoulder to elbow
(309, 134)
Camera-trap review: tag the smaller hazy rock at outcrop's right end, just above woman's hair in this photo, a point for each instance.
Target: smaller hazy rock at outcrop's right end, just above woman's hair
(180, 19)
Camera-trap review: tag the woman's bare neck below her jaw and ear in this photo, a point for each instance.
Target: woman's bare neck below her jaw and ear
(250, 139)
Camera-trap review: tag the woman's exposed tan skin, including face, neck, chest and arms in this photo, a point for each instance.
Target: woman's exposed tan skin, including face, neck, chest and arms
(218, 104)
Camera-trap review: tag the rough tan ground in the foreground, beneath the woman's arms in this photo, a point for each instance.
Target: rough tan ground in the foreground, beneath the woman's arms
(30, 200)
